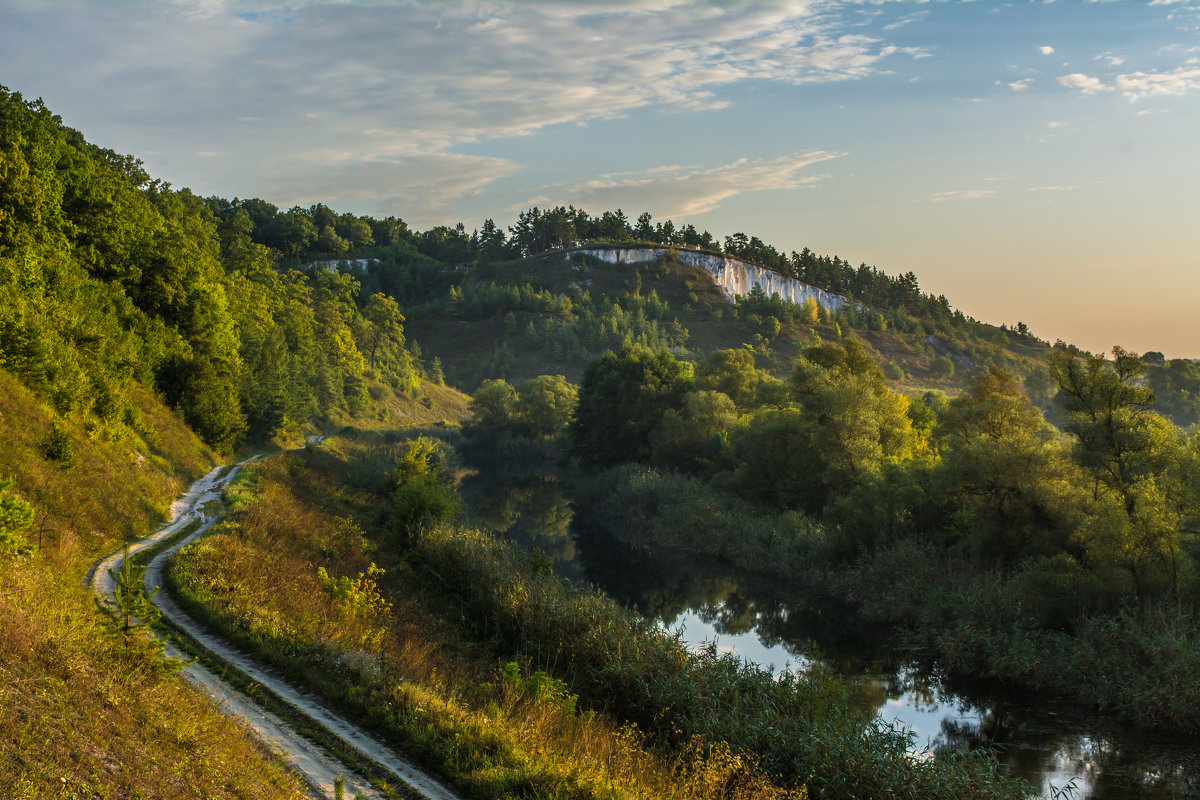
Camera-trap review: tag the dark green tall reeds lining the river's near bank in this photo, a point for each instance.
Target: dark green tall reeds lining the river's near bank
(801, 726)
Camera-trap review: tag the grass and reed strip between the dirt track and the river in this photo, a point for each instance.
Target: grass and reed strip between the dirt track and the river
(475, 659)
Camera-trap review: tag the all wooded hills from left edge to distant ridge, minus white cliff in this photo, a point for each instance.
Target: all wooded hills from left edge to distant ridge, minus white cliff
(113, 280)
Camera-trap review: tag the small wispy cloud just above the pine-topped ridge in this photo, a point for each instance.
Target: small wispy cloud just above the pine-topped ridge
(680, 193)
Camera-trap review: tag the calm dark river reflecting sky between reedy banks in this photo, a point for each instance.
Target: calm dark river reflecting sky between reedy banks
(769, 623)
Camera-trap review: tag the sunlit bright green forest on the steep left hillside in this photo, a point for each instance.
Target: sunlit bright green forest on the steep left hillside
(112, 280)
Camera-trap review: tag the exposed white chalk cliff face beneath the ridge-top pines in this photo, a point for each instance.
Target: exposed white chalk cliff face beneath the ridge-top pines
(734, 276)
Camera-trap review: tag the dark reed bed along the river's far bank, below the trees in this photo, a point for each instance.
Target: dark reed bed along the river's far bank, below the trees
(1142, 661)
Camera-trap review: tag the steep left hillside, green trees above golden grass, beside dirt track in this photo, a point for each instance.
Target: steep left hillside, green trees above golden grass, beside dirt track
(140, 346)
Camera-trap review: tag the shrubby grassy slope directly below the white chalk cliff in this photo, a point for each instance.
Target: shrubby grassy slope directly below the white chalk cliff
(554, 314)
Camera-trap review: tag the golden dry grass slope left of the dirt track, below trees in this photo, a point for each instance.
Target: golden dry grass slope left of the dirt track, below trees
(88, 714)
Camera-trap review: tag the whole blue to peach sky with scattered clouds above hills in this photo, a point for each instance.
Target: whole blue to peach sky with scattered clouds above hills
(1035, 163)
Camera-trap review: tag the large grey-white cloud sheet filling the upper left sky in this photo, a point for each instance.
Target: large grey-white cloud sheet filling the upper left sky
(334, 87)
